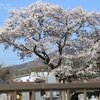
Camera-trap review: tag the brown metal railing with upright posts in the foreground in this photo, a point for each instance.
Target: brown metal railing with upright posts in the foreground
(68, 87)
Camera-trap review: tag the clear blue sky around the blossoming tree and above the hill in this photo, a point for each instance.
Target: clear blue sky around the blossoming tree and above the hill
(8, 57)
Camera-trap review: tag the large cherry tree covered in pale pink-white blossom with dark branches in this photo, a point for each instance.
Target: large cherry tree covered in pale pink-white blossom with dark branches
(63, 39)
